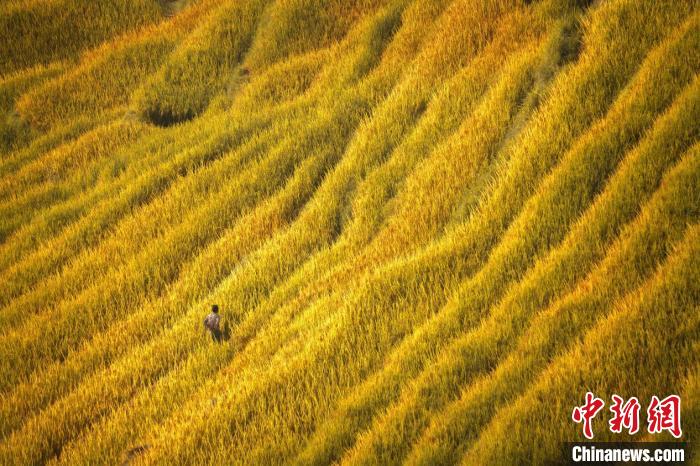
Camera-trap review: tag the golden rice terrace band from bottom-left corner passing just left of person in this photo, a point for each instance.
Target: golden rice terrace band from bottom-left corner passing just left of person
(93, 398)
